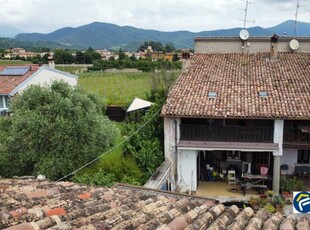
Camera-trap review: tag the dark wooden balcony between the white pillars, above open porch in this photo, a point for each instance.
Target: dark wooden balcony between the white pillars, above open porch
(226, 133)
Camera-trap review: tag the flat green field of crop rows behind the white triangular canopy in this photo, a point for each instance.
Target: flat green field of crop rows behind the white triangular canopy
(117, 88)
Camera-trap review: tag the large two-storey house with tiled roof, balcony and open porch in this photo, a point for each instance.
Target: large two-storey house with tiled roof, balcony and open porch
(239, 102)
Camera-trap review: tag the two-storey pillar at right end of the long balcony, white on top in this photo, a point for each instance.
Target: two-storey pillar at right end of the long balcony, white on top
(278, 139)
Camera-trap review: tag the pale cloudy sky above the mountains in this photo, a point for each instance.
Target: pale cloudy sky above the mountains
(166, 15)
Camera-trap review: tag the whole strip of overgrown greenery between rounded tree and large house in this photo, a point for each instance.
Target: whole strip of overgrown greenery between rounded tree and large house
(137, 159)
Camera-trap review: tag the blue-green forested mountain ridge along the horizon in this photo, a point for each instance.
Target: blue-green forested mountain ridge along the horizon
(100, 35)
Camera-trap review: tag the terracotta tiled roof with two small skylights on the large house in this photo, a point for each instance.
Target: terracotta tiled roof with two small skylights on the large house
(237, 80)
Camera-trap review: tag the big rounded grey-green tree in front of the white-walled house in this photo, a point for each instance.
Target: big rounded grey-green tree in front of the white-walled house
(53, 131)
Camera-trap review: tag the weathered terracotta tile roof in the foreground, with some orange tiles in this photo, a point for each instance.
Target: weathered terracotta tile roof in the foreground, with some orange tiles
(33, 204)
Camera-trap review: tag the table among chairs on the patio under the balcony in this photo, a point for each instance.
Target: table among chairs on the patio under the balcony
(254, 181)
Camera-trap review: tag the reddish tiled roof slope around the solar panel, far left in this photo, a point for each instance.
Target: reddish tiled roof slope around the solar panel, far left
(8, 83)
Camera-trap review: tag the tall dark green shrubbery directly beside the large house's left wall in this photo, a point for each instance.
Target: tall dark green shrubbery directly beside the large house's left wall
(147, 145)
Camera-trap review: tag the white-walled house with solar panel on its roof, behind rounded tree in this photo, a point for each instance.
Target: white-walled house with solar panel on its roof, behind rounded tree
(15, 79)
